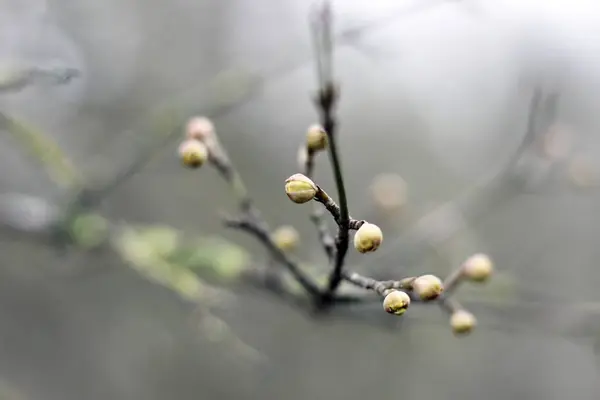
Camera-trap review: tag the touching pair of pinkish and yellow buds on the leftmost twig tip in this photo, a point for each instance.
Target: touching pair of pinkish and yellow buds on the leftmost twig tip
(193, 151)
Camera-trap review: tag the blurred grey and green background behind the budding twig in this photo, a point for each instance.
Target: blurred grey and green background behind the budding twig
(436, 91)
